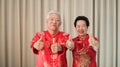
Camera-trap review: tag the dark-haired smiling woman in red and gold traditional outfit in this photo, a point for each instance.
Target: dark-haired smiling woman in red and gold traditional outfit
(85, 45)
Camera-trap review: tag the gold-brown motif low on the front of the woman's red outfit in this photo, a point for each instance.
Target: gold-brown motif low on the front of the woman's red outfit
(85, 60)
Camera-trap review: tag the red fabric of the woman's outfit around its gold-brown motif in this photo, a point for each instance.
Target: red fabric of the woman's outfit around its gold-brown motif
(80, 44)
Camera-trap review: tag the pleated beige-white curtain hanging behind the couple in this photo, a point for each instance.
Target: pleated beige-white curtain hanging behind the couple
(21, 19)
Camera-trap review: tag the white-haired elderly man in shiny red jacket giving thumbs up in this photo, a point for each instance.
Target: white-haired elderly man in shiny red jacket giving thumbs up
(51, 45)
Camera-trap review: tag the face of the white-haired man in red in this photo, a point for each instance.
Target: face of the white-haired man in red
(53, 22)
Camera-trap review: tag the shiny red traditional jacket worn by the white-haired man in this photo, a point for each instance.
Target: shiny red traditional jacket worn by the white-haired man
(45, 57)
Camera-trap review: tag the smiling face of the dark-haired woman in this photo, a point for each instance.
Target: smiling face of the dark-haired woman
(81, 28)
